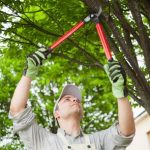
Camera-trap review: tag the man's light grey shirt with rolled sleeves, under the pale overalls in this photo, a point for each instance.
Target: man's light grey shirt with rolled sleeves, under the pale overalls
(37, 138)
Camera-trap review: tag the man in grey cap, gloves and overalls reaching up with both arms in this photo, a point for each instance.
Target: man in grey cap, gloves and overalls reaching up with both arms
(69, 112)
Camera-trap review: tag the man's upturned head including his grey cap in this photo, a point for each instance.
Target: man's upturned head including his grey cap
(69, 104)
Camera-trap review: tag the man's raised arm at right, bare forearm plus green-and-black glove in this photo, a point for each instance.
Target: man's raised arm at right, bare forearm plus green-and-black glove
(117, 78)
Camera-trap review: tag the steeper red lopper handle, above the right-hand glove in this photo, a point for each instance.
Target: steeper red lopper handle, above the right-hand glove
(103, 39)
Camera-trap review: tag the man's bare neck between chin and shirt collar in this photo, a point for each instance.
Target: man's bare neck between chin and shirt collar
(71, 126)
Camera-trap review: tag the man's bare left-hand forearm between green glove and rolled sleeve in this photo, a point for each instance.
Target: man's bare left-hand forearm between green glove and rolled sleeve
(21, 94)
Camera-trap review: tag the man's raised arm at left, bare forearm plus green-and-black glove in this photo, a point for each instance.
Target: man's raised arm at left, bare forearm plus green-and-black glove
(21, 94)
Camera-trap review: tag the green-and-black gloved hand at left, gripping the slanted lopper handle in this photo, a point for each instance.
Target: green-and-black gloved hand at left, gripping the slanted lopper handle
(34, 61)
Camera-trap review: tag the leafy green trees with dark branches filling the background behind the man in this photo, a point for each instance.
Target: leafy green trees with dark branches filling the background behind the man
(26, 25)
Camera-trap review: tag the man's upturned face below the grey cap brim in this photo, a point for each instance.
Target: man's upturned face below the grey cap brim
(69, 106)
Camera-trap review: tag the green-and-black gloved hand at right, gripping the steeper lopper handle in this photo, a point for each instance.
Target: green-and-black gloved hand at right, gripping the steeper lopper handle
(117, 77)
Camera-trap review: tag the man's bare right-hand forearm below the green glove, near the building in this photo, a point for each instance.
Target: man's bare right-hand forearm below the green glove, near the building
(126, 120)
